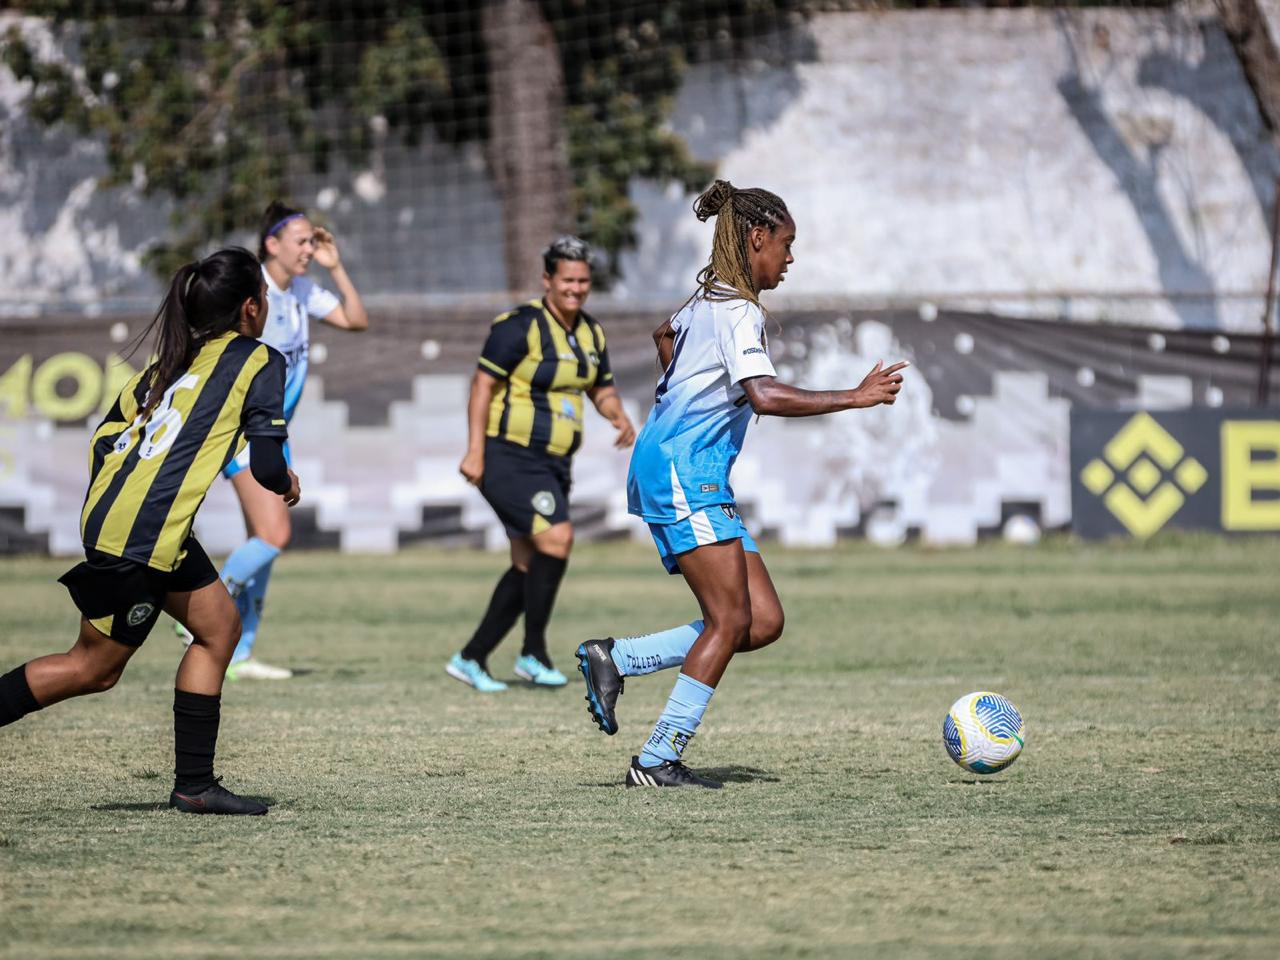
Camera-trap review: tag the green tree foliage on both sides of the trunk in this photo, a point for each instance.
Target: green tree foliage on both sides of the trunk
(221, 107)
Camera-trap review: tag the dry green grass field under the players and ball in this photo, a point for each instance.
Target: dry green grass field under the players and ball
(417, 819)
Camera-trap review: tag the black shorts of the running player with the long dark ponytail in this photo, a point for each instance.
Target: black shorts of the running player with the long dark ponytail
(124, 598)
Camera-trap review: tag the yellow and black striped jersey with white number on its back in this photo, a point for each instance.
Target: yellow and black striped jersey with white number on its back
(148, 481)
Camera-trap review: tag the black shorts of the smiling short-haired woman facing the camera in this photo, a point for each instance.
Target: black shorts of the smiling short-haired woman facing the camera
(527, 490)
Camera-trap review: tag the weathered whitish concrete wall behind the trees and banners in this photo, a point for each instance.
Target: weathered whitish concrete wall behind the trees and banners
(1107, 164)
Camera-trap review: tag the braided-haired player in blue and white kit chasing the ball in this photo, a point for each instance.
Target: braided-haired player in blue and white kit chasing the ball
(717, 376)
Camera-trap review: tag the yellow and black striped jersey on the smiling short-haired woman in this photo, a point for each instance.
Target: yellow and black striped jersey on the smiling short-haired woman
(546, 369)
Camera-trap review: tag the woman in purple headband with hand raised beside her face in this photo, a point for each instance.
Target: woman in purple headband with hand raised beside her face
(289, 244)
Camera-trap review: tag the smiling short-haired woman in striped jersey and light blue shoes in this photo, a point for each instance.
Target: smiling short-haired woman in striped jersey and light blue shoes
(524, 426)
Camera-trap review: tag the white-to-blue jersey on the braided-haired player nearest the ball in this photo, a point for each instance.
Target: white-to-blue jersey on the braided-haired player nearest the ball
(701, 414)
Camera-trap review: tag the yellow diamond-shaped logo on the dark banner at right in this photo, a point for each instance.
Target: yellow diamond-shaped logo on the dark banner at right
(1144, 477)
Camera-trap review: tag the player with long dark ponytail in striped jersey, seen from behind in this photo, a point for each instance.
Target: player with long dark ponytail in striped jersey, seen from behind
(173, 428)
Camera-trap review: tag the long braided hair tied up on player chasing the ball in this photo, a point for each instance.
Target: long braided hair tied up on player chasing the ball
(728, 275)
